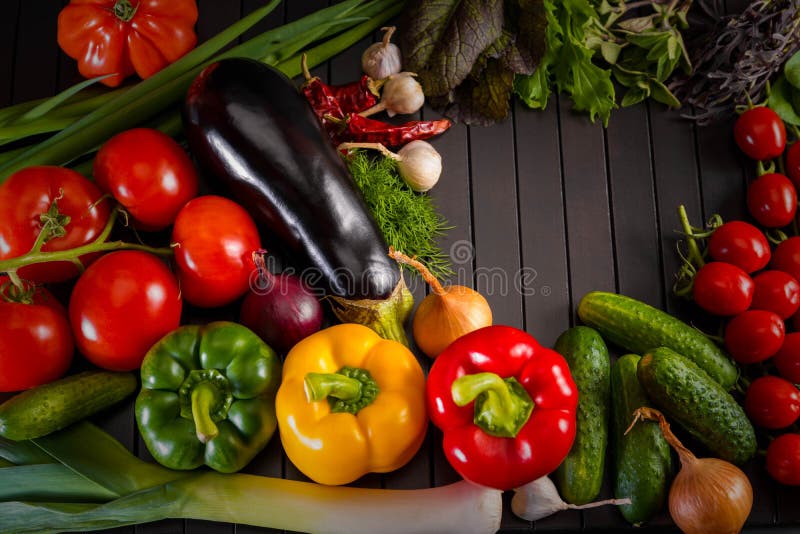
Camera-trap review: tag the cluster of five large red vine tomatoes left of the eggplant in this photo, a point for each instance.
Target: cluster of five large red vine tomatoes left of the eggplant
(124, 300)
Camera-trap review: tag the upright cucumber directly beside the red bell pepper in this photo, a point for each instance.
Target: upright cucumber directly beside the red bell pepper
(580, 475)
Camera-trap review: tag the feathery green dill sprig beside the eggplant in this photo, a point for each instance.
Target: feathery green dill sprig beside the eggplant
(408, 220)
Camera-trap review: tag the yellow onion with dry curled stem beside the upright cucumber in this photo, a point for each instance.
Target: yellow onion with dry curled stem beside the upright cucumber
(708, 495)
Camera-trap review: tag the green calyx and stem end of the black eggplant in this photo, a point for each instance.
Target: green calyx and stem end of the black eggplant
(386, 317)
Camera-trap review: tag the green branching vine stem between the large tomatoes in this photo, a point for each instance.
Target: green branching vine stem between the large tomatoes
(100, 244)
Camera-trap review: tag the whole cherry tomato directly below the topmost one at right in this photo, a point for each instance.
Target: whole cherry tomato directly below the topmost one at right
(772, 200)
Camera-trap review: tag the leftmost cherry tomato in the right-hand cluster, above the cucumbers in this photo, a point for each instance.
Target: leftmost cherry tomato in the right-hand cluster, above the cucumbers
(722, 289)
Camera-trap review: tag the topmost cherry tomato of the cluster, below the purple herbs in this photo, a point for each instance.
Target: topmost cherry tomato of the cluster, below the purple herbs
(760, 133)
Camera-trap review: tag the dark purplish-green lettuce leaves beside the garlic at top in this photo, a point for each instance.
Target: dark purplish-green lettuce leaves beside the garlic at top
(466, 52)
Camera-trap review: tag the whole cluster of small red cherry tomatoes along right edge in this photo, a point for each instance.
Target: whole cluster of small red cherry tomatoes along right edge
(757, 288)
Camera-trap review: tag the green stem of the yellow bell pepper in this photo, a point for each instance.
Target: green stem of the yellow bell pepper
(348, 390)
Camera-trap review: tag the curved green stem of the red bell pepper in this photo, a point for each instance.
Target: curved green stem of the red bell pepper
(502, 406)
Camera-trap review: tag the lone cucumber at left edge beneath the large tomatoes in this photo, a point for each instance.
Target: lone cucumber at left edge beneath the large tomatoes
(45, 409)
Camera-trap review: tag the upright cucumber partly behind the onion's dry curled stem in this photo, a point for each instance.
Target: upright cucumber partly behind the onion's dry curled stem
(643, 464)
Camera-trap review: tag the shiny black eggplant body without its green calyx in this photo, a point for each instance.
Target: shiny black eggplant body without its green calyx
(248, 126)
